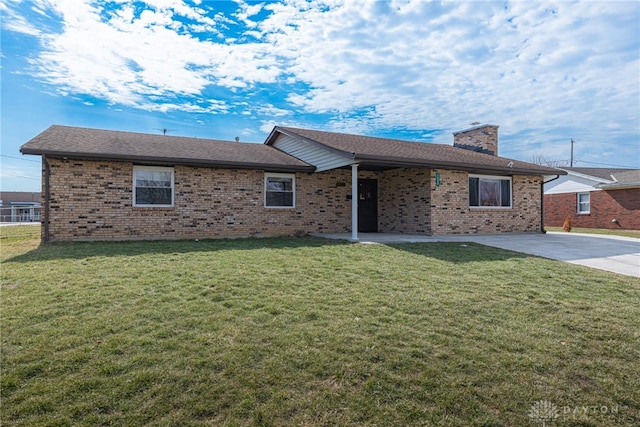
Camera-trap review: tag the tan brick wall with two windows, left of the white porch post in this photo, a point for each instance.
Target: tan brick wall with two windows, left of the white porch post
(92, 200)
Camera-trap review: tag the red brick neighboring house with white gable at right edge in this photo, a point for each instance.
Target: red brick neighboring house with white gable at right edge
(595, 198)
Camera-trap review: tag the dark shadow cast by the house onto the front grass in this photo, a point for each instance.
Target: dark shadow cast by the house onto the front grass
(453, 252)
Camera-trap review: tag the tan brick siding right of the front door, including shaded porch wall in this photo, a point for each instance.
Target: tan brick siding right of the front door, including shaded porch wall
(410, 202)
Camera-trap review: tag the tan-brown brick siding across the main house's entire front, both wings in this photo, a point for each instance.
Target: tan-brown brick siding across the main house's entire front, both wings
(92, 200)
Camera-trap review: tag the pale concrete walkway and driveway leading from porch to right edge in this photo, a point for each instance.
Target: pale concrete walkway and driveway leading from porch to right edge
(611, 253)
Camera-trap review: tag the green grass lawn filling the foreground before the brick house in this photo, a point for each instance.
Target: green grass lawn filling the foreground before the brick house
(302, 331)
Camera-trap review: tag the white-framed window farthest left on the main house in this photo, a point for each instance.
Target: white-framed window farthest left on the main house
(152, 186)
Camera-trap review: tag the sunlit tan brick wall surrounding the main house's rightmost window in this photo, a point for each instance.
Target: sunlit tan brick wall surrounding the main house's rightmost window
(451, 213)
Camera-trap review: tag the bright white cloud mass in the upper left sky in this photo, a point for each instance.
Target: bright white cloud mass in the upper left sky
(127, 59)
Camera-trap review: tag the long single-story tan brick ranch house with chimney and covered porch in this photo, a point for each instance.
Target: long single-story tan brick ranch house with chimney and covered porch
(100, 184)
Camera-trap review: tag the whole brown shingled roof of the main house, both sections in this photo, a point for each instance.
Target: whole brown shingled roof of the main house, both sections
(369, 152)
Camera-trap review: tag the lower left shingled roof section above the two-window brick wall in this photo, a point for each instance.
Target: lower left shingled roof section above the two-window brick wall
(84, 143)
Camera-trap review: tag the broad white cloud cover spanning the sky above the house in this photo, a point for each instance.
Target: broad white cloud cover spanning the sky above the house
(535, 68)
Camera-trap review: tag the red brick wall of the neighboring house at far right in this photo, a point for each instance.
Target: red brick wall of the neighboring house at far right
(623, 205)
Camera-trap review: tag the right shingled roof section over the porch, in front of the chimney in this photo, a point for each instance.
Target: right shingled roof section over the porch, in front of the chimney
(371, 152)
